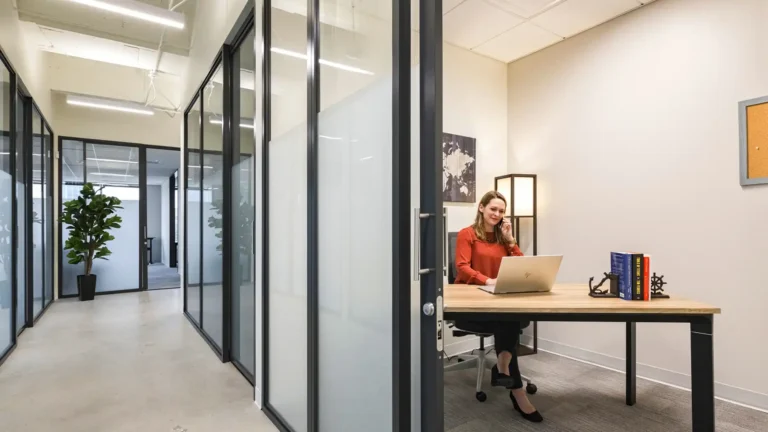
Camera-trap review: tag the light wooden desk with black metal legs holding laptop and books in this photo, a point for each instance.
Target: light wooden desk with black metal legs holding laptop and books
(571, 302)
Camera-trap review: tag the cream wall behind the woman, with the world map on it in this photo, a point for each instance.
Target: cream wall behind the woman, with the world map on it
(474, 105)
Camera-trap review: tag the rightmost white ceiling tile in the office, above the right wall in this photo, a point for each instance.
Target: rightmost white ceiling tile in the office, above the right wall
(575, 16)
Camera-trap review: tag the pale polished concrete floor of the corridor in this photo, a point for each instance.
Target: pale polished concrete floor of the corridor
(122, 363)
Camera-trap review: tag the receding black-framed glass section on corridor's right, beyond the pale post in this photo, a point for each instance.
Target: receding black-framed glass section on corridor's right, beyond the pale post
(219, 197)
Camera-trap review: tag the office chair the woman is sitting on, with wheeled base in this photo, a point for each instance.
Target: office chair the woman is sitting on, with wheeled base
(478, 361)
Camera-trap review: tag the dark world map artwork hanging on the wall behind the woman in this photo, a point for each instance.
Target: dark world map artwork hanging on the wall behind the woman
(459, 181)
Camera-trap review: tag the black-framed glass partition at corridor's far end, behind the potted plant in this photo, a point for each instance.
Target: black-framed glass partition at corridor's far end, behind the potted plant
(140, 177)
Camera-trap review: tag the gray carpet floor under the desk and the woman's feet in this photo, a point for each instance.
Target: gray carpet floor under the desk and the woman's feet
(578, 397)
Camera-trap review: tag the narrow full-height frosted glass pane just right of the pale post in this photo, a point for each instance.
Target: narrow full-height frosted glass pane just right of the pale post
(287, 213)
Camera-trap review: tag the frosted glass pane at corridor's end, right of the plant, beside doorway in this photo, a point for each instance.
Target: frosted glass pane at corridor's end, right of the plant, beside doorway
(115, 169)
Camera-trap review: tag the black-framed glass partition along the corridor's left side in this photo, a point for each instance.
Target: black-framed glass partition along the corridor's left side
(26, 210)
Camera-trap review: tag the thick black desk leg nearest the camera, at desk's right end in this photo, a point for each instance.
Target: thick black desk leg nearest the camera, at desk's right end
(702, 376)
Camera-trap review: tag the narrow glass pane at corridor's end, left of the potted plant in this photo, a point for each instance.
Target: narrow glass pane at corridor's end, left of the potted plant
(72, 179)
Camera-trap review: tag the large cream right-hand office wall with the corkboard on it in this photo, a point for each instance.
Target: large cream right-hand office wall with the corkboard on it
(632, 128)
